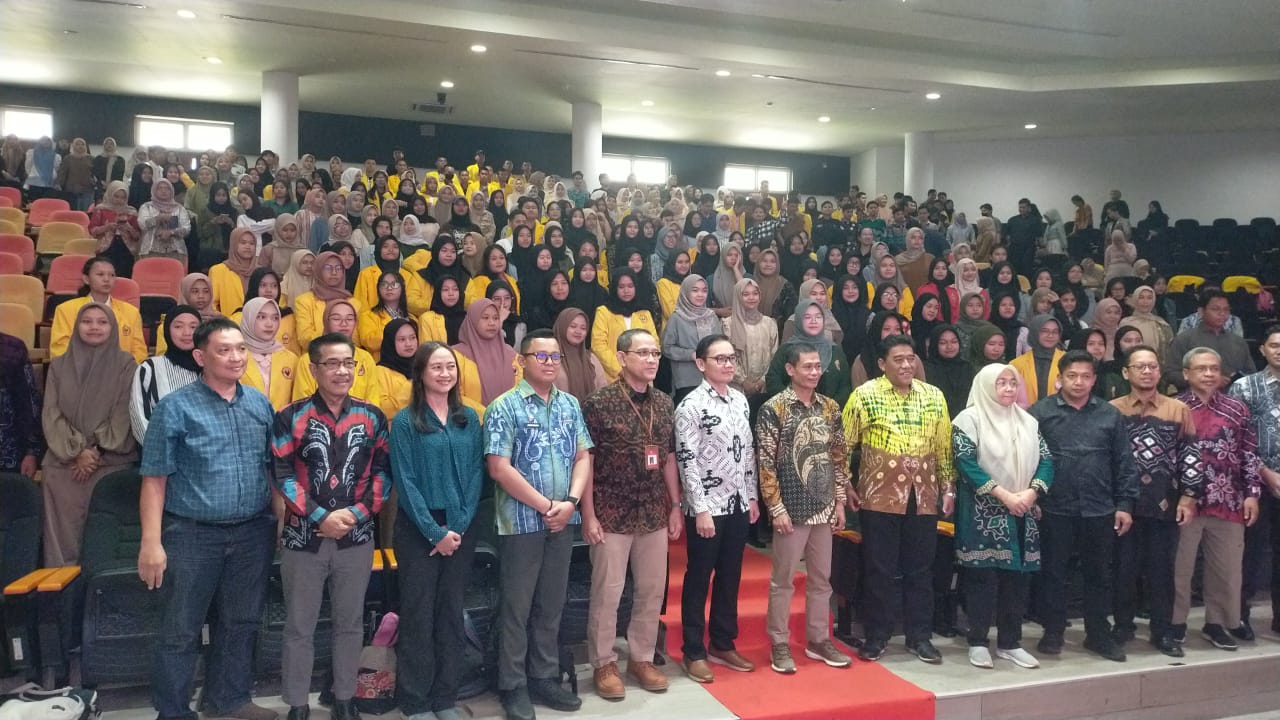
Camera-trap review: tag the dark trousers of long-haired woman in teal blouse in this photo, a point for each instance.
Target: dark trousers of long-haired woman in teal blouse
(431, 618)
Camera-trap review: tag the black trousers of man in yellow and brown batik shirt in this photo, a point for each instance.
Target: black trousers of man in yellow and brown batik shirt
(899, 546)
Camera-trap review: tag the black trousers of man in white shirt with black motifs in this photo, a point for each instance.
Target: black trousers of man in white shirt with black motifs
(723, 555)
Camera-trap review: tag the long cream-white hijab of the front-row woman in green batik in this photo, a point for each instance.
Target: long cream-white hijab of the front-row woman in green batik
(1008, 439)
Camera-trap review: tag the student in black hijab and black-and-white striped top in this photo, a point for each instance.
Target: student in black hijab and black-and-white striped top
(168, 370)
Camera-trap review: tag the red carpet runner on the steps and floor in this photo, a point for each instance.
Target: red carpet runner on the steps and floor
(816, 692)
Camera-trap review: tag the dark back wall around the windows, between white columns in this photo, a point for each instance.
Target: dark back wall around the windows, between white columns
(97, 116)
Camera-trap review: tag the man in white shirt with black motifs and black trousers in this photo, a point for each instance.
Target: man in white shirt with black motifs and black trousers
(717, 471)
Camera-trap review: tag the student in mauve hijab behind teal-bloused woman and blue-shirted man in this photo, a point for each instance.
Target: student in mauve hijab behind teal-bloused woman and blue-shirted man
(487, 366)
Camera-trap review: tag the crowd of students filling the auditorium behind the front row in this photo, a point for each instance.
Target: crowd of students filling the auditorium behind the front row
(478, 258)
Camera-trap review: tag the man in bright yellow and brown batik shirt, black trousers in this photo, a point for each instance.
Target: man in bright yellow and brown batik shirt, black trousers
(904, 432)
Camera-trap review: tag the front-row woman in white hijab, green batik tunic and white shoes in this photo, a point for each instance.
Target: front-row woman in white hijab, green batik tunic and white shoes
(1005, 468)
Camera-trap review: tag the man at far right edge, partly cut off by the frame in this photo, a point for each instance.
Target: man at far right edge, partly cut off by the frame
(1261, 394)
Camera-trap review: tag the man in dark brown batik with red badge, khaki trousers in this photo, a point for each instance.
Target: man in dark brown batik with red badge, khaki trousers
(630, 512)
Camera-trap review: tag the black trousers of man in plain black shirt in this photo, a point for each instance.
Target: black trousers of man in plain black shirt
(1094, 540)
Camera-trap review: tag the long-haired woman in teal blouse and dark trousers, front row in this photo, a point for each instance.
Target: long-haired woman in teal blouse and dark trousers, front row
(438, 470)
